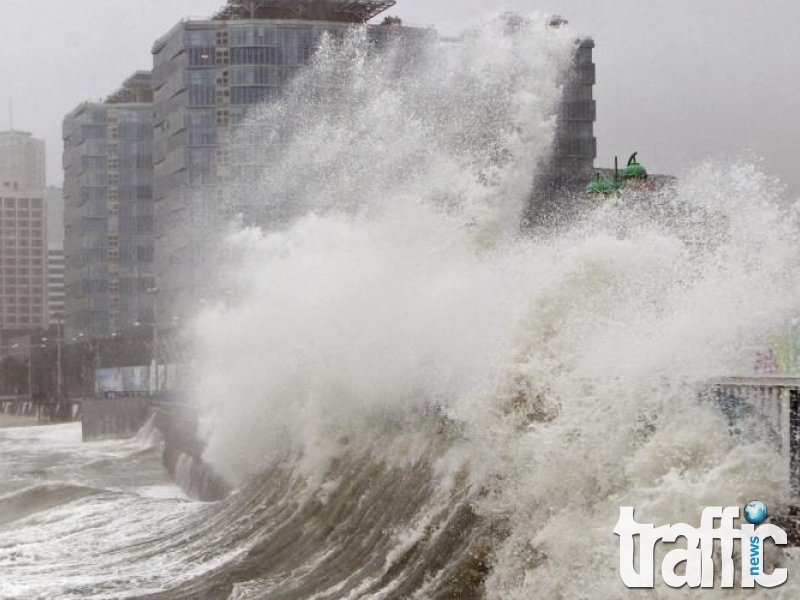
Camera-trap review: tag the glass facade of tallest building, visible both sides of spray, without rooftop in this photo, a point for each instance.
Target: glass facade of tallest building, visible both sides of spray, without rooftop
(207, 75)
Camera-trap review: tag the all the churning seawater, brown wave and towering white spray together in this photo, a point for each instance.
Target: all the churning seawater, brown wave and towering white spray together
(413, 398)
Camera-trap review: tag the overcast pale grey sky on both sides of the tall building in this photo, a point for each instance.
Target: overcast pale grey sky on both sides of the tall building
(678, 80)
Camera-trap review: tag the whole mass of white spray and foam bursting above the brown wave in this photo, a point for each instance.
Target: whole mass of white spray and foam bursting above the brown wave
(564, 370)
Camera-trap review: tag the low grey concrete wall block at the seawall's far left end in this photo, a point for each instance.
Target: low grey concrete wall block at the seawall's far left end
(118, 418)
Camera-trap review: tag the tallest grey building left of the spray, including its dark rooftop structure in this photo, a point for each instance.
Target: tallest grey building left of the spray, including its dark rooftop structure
(207, 74)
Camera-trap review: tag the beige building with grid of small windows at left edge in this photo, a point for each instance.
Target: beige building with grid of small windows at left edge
(23, 260)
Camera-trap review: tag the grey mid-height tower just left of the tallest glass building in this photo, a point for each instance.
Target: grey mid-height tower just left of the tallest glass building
(108, 196)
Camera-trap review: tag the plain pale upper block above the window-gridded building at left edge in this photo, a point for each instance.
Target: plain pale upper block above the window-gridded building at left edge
(22, 160)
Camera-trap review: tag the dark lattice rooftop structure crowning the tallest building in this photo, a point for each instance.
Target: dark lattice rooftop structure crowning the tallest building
(341, 11)
